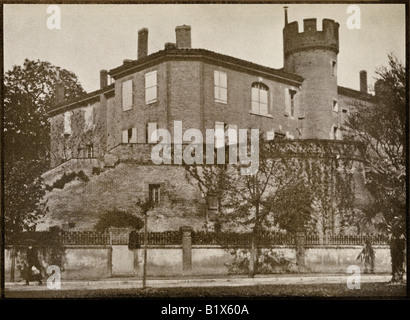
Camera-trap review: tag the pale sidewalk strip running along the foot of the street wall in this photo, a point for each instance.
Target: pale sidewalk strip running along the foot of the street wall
(133, 282)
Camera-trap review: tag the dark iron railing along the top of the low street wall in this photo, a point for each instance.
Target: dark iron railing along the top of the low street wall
(197, 238)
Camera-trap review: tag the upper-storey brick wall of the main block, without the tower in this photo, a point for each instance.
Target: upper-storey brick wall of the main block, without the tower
(186, 93)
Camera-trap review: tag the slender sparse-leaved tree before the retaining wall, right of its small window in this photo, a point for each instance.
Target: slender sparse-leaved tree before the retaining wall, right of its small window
(251, 197)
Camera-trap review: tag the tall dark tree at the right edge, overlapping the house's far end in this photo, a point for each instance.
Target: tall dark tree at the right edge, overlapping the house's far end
(380, 127)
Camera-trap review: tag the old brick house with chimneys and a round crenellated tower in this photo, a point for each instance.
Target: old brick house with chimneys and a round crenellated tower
(110, 127)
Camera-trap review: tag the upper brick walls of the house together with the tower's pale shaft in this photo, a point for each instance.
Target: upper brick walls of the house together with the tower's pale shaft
(185, 92)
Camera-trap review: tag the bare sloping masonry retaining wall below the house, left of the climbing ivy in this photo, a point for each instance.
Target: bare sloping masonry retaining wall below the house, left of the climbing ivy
(83, 202)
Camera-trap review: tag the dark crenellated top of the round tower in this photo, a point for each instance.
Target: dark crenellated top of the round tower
(311, 38)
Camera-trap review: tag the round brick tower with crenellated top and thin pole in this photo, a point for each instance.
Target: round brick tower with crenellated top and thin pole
(312, 54)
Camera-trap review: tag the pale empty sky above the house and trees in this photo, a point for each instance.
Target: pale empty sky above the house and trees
(94, 37)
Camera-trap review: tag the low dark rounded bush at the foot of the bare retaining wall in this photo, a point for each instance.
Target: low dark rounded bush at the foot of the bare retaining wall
(119, 219)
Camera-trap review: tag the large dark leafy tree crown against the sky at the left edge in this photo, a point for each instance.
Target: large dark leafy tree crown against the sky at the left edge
(29, 93)
